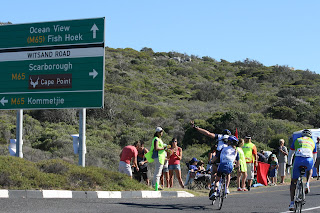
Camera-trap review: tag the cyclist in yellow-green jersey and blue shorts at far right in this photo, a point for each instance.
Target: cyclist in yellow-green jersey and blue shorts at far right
(305, 151)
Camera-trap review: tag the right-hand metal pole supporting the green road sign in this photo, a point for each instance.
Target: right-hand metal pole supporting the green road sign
(82, 137)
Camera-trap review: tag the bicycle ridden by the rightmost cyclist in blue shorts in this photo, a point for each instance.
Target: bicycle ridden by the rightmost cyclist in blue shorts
(299, 198)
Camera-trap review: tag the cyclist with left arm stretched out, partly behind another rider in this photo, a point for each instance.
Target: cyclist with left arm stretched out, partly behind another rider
(222, 142)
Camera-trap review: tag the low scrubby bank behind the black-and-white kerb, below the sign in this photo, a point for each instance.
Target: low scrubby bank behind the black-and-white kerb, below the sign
(17, 173)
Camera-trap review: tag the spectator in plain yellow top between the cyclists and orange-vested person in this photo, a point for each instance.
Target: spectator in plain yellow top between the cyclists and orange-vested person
(242, 170)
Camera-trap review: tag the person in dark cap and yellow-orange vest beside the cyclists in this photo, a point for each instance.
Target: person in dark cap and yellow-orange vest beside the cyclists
(251, 156)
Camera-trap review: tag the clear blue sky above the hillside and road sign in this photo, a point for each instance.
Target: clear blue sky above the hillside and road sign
(284, 32)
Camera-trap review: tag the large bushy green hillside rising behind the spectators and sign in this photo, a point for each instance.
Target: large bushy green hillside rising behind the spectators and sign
(145, 89)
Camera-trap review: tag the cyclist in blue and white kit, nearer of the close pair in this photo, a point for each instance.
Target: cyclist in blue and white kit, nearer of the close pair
(227, 156)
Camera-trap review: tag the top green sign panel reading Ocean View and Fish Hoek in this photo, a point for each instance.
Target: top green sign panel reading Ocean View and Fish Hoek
(69, 32)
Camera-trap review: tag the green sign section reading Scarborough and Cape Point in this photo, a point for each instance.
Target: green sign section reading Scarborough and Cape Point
(74, 74)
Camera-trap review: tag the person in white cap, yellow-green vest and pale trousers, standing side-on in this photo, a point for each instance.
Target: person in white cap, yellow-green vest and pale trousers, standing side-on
(157, 154)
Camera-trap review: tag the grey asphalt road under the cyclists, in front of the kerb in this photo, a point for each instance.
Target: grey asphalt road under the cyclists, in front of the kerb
(262, 199)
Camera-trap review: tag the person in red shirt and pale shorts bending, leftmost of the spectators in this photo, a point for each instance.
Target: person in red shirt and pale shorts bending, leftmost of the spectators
(128, 154)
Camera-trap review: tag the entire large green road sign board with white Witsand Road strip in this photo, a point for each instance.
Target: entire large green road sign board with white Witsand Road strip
(61, 73)
